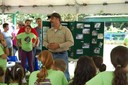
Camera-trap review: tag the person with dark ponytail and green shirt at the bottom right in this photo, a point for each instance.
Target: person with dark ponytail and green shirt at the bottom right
(119, 59)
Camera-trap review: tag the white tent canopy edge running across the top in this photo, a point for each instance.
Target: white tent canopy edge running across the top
(64, 6)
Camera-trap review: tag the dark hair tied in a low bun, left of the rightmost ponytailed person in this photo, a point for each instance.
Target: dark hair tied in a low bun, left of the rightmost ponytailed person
(98, 60)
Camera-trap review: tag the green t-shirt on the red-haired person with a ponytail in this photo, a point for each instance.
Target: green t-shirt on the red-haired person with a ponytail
(55, 77)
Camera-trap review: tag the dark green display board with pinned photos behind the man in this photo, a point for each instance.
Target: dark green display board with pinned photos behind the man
(88, 38)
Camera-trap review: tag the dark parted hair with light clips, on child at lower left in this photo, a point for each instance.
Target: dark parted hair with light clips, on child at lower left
(15, 73)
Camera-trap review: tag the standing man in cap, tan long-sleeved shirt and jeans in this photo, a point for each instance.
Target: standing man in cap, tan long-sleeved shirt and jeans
(58, 40)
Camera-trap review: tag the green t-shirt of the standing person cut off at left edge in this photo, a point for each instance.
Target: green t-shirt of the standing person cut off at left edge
(3, 62)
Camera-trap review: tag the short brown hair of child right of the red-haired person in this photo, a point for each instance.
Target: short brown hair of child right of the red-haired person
(60, 63)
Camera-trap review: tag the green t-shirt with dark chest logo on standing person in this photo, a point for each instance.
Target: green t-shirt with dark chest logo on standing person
(26, 41)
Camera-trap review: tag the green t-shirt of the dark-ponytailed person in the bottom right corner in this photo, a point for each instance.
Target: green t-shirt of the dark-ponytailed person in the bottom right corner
(103, 78)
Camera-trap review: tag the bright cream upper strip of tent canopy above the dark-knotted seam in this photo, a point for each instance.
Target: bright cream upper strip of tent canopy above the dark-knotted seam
(56, 2)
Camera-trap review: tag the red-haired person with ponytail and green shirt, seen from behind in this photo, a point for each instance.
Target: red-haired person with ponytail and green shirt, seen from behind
(47, 75)
